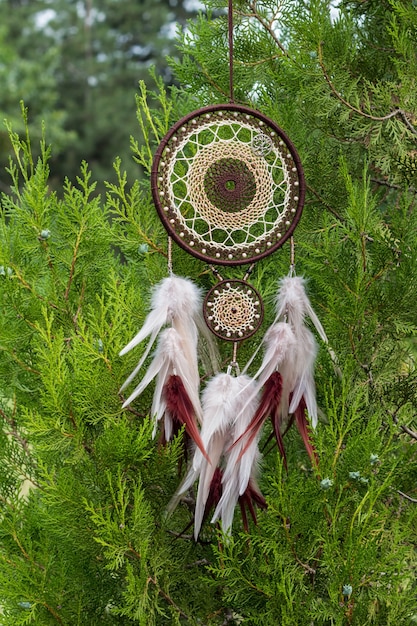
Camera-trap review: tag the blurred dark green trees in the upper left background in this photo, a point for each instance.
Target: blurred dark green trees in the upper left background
(77, 65)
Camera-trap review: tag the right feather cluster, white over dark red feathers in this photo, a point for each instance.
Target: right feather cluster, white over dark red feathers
(286, 375)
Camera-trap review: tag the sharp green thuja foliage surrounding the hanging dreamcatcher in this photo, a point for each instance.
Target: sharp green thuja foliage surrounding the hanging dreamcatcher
(84, 537)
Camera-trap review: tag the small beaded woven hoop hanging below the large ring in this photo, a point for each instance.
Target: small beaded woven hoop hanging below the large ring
(233, 310)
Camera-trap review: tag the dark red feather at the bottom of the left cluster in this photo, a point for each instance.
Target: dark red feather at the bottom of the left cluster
(181, 410)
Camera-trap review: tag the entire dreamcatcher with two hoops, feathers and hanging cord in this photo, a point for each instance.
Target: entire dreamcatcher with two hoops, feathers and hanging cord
(229, 189)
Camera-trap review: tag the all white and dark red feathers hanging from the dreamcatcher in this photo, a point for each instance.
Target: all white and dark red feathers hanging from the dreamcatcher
(226, 424)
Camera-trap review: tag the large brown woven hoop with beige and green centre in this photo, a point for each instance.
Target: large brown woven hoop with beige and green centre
(228, 184)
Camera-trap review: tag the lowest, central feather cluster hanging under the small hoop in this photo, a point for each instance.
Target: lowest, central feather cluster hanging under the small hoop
(229, 476)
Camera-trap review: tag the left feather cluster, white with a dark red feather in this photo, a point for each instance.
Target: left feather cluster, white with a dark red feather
(174, 322)
